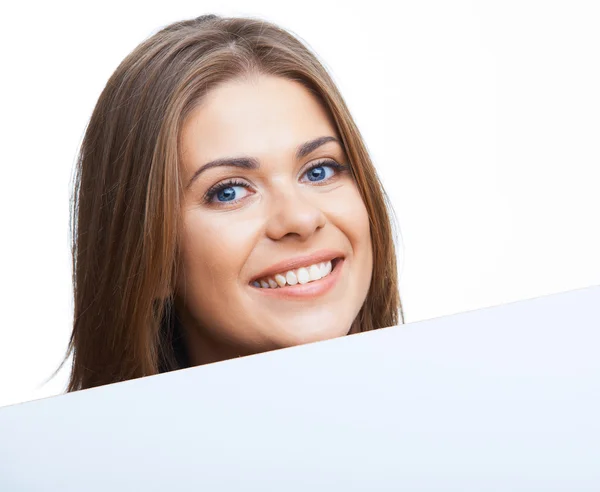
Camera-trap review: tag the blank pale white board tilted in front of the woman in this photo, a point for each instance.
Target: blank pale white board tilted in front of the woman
(505, 398)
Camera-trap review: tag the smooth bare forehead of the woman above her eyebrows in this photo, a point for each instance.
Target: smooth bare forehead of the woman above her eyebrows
(261, 117)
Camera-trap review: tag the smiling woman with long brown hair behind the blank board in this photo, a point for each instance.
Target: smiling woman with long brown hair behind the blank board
(225, 205)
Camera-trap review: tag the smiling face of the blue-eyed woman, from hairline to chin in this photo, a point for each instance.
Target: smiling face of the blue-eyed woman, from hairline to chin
(269, 201)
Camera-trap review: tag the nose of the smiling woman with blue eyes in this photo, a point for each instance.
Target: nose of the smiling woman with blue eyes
(293, 213)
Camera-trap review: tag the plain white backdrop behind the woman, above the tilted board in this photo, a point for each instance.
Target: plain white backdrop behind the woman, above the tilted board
(482, 119)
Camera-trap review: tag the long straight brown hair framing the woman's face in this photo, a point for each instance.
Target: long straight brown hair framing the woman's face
(127, 192)
